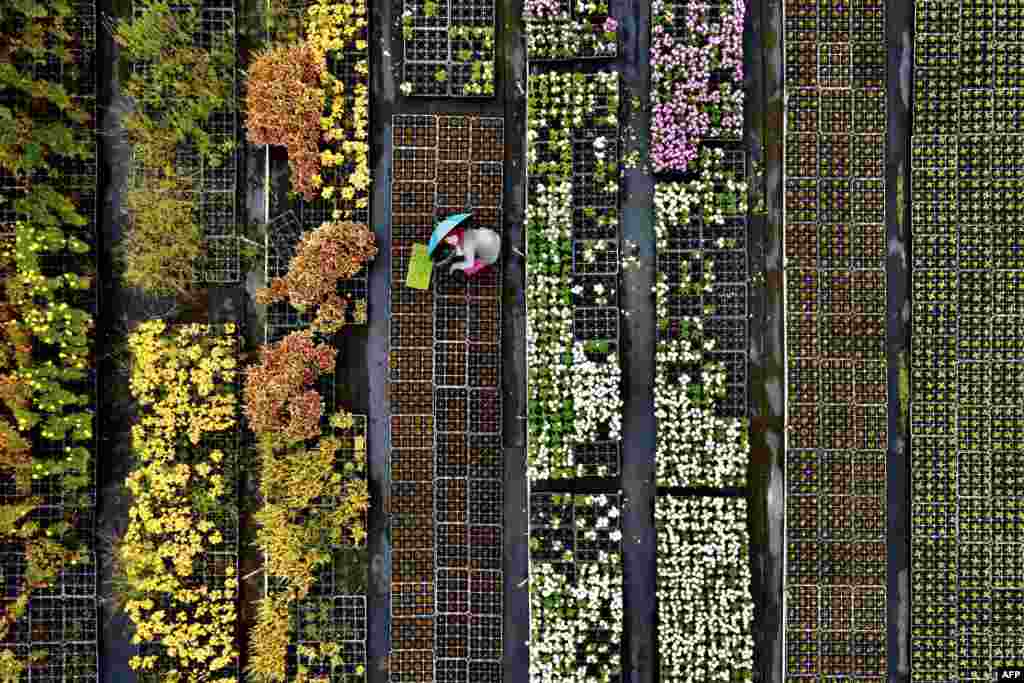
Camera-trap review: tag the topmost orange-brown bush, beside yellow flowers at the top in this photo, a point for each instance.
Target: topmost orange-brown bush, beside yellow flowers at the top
(285, 103)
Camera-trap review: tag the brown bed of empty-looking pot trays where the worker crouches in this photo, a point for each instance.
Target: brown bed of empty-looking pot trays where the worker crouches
(446, 457)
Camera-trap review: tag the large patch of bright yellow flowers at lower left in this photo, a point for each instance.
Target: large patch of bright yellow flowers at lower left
(184, 380)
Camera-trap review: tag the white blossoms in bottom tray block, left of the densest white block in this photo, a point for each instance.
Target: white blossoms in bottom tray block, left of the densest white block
(586, 611)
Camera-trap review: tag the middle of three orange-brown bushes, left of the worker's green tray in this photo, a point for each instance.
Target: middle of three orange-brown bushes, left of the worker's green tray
(333, 252)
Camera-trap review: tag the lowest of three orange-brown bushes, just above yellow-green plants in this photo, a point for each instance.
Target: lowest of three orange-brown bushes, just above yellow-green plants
(281, 395)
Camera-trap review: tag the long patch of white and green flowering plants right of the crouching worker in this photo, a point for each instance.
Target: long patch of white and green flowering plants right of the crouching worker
(574, 386)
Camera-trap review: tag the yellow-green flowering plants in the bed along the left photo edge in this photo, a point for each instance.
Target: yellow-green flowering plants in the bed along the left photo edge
(41, 401)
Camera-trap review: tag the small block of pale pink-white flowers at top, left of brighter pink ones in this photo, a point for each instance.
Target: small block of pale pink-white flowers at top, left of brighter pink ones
(571, 29)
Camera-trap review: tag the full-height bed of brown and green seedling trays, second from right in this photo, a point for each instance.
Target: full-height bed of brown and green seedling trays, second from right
(836, 334)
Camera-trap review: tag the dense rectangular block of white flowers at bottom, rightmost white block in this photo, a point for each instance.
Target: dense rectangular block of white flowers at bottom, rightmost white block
(705, 605)
